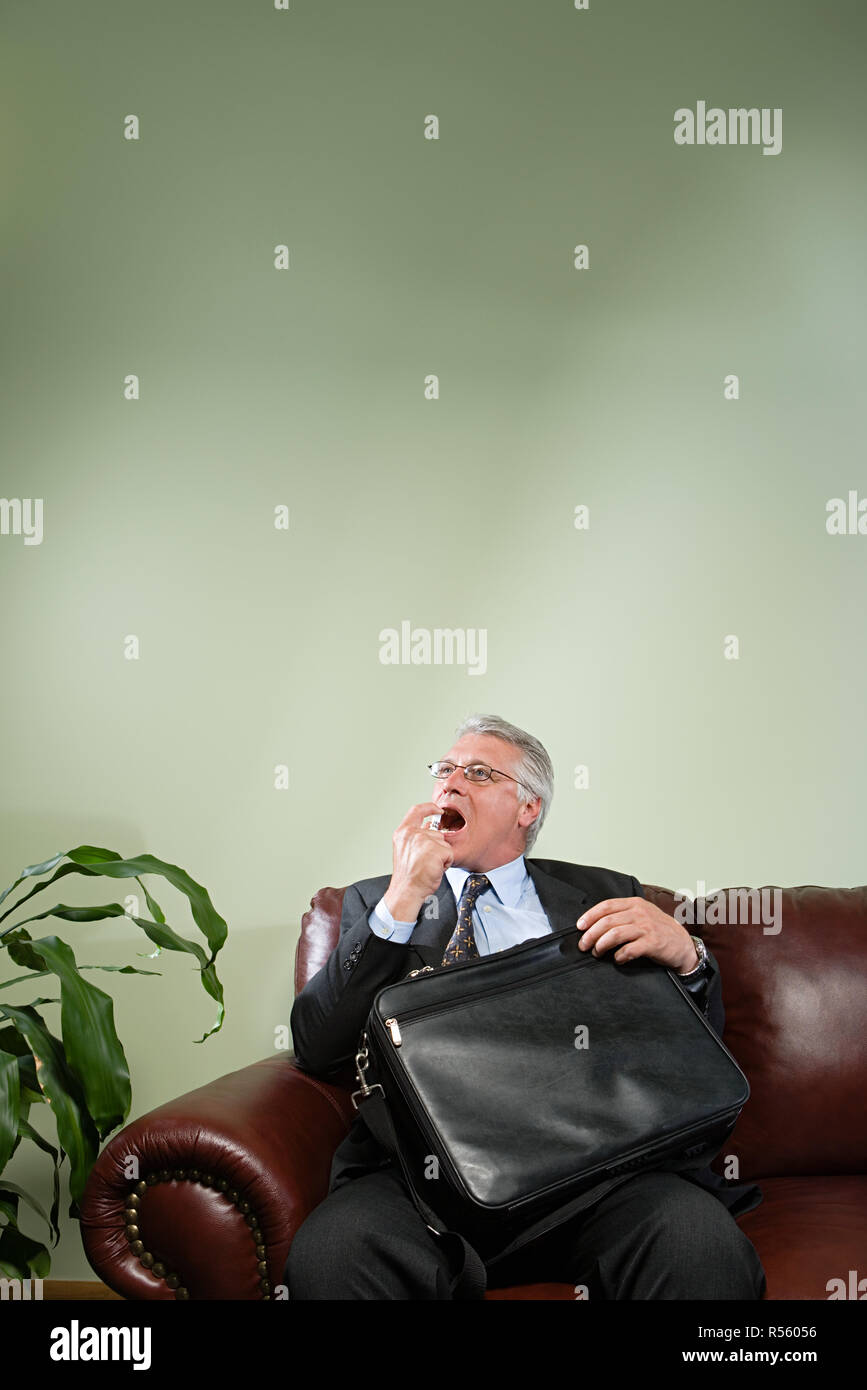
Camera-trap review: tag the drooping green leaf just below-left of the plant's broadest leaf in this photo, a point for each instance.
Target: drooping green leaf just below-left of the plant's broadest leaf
(58, 1082)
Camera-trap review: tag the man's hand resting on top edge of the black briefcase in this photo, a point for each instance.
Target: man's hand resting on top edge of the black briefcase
(637, 928)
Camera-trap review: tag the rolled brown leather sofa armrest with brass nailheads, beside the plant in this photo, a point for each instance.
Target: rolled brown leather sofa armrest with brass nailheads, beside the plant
(220, 1179)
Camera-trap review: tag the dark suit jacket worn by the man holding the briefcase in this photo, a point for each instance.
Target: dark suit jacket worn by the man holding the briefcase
(331, 1011)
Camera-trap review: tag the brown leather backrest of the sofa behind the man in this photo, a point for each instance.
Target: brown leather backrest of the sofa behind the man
(794, 967)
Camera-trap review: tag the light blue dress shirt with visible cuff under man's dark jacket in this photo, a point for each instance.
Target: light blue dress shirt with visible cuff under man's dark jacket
(505, 915)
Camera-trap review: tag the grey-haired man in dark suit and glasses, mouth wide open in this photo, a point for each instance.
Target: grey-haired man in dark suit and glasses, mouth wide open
(462, 888)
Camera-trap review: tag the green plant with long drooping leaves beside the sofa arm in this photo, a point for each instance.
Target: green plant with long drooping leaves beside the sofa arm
(83, 1075)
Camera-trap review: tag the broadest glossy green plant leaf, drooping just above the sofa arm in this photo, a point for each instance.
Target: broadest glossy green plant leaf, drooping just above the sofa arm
(90, 1038)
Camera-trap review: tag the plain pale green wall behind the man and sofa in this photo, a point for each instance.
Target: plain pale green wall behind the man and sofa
(259, 389)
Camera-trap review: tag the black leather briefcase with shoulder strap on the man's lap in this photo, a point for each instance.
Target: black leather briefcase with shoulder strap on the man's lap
(513, 1088)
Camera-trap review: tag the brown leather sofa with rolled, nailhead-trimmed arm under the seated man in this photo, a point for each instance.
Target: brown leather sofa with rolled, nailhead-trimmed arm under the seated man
(229, 1172)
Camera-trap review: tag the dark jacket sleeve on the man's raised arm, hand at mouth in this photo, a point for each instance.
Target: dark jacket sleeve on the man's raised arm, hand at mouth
(331, 1011)
